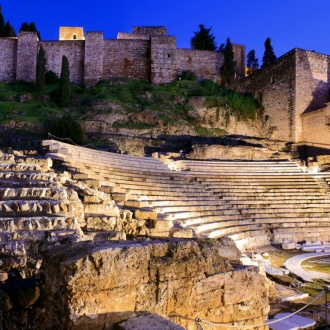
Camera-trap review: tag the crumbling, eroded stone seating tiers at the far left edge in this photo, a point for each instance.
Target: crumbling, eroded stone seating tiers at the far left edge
(34, 205)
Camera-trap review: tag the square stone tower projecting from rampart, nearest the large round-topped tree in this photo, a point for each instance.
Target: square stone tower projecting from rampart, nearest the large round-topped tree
(163, 54)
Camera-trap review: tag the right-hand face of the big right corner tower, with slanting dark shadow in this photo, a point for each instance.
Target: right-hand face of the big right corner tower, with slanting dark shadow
(312, 88)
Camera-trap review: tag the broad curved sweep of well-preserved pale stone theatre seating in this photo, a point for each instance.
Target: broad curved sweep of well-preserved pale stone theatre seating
(253, 202)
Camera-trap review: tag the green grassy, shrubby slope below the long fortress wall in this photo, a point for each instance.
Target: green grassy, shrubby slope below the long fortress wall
(26, 111)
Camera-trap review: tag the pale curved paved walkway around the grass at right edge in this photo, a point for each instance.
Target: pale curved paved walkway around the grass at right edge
(293, 265)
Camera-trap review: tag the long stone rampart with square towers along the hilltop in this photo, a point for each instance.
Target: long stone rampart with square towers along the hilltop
(146, 54)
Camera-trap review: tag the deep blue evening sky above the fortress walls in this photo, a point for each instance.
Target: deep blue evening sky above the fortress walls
(289, 23)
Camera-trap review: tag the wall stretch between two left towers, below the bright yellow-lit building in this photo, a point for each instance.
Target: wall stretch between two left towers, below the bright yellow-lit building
(73, 50)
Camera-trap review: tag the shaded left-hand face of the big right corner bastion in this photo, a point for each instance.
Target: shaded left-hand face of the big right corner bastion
(275, 86)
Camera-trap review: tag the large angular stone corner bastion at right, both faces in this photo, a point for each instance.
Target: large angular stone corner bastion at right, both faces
(296, 84)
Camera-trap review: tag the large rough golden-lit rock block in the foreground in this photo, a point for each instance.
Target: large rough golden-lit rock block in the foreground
(101, 283)
